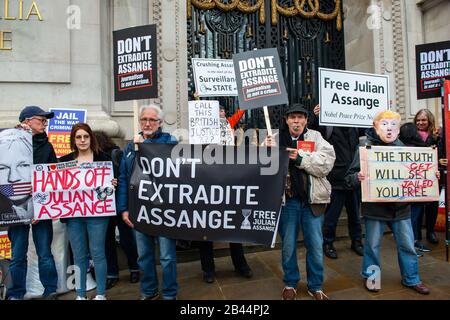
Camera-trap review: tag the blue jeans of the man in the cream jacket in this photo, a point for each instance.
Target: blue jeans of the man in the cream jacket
(295, 216)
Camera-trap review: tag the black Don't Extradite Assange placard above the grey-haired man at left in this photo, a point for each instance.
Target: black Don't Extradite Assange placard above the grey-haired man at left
(135, 63)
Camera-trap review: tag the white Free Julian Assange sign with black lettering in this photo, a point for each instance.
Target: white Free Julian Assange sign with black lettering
(351, 99)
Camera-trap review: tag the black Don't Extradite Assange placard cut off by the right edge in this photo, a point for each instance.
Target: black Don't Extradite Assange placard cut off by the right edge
(432, 65)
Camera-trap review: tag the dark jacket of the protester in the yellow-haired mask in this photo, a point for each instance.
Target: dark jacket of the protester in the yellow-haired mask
(386, 211)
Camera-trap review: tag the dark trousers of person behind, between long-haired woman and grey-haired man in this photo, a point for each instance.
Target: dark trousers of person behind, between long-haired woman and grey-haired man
(127, 242)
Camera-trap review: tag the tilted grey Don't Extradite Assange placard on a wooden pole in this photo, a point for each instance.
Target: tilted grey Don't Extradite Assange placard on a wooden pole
(259, 79)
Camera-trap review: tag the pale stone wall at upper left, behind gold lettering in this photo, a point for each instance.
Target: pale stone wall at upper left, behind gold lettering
(61, 61)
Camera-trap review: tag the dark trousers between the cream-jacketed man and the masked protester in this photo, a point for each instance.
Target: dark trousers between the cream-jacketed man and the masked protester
(339, 198)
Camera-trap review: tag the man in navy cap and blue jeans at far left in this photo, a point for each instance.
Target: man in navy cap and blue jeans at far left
(35, 119)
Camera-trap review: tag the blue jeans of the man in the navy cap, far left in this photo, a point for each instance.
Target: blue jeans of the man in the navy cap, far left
(42, 238)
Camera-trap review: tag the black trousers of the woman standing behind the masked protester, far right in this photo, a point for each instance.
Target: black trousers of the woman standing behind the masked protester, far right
(430, 209)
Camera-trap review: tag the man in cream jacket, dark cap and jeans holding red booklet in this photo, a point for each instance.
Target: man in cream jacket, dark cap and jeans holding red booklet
(307, 193)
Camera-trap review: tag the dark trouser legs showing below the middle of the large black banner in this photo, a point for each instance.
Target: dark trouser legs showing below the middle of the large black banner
(207, 256)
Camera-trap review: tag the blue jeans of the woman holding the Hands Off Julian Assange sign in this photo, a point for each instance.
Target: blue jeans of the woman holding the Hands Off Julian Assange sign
(87, 236)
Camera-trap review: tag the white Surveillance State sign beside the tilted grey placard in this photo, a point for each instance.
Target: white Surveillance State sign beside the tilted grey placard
(214, 77)
